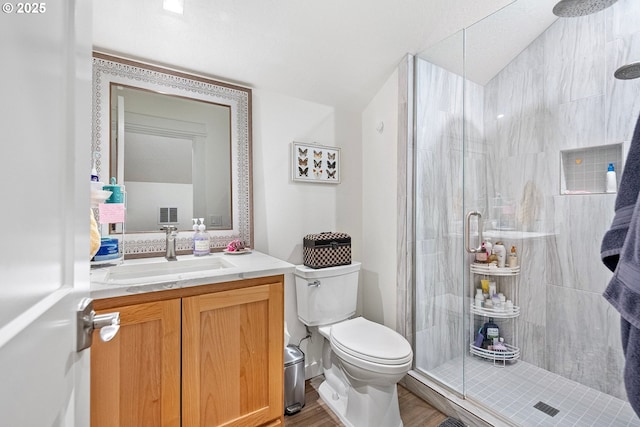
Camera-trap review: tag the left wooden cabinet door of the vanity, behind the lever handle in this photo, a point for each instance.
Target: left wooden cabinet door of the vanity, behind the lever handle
(135, 378)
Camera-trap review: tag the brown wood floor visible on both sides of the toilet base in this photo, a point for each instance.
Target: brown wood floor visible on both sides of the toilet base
(414, 411)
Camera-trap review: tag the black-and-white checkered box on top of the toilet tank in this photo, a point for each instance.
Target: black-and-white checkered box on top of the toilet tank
(326, 249)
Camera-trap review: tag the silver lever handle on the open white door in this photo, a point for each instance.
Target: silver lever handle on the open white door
(87, 321)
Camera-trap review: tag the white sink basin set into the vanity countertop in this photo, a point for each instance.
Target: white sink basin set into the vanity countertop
(161, 271)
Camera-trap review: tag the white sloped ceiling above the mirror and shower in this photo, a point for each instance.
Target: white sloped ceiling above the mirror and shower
(333, 52)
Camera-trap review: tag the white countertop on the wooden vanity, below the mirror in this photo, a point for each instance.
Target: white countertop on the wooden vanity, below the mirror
(237, 267)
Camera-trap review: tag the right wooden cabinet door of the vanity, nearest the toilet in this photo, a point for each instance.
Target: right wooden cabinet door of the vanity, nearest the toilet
(232, 357)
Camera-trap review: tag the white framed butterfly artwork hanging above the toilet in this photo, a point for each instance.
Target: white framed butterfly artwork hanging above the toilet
(315, 163)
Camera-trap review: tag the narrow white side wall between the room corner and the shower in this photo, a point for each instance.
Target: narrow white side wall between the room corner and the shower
(379, 205)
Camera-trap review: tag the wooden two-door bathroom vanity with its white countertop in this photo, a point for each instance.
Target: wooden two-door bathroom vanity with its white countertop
(200, 344)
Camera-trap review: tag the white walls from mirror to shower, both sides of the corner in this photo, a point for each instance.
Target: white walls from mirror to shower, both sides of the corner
(364, 204)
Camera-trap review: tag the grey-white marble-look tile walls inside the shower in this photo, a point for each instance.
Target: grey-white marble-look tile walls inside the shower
(558, 94)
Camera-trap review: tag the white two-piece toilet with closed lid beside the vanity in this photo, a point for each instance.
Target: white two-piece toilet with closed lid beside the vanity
(362, 360)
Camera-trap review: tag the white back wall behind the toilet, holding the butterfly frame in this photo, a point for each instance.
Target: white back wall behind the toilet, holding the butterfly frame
(285, 211)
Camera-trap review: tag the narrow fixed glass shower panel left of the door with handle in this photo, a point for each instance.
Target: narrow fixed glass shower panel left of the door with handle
(440, 263)
